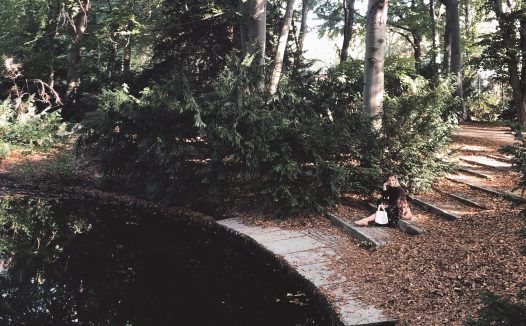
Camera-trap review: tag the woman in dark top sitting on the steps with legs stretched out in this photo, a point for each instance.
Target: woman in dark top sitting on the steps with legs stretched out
(393, 201)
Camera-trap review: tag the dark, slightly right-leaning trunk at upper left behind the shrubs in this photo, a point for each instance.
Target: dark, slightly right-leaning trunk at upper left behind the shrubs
(78, 28)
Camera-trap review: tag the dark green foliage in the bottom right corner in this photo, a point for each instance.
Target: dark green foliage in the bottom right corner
(499, 311)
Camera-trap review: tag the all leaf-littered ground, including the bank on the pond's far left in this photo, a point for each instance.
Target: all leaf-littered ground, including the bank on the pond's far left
(430, 279)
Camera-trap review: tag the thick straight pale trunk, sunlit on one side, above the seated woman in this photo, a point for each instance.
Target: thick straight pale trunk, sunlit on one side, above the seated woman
(373, 88)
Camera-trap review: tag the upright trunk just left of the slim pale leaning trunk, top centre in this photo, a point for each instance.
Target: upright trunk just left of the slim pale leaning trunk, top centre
(257, 38)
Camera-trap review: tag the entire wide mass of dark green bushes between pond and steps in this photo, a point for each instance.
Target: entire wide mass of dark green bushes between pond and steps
(296, 151)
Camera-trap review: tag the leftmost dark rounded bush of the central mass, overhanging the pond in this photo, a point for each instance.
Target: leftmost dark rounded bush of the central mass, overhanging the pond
(146, 143)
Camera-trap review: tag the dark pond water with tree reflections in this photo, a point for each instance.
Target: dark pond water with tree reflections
(79, 263)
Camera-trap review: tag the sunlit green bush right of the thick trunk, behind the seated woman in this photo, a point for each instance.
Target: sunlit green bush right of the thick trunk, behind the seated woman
(417, 127)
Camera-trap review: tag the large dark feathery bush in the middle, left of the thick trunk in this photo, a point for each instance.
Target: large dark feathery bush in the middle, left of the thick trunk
(292, 149)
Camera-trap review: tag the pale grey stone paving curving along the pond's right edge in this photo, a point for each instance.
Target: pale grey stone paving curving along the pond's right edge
(310, 254)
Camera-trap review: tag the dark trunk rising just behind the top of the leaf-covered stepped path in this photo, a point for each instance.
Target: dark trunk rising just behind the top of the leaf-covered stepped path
(456, 53)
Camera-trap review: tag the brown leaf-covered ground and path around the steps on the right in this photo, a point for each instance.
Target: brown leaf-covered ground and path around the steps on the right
(437, 278)
